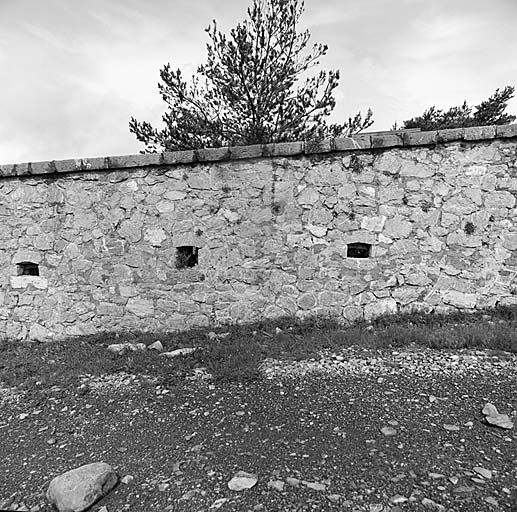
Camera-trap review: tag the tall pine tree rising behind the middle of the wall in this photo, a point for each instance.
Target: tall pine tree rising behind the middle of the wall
(258, 85)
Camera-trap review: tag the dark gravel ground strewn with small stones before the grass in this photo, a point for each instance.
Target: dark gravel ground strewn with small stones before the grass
(359, 430)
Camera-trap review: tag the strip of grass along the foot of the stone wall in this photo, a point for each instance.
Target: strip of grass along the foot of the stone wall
(233, 353)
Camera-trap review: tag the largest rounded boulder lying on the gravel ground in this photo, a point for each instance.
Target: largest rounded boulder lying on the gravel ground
(78, 489)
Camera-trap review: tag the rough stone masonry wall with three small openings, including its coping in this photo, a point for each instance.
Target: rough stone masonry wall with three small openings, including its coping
(270, 227)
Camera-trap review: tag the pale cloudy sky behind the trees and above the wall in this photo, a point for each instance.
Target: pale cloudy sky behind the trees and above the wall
(73, 72)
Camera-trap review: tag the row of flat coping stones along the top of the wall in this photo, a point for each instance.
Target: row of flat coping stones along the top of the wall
(364, 141)
